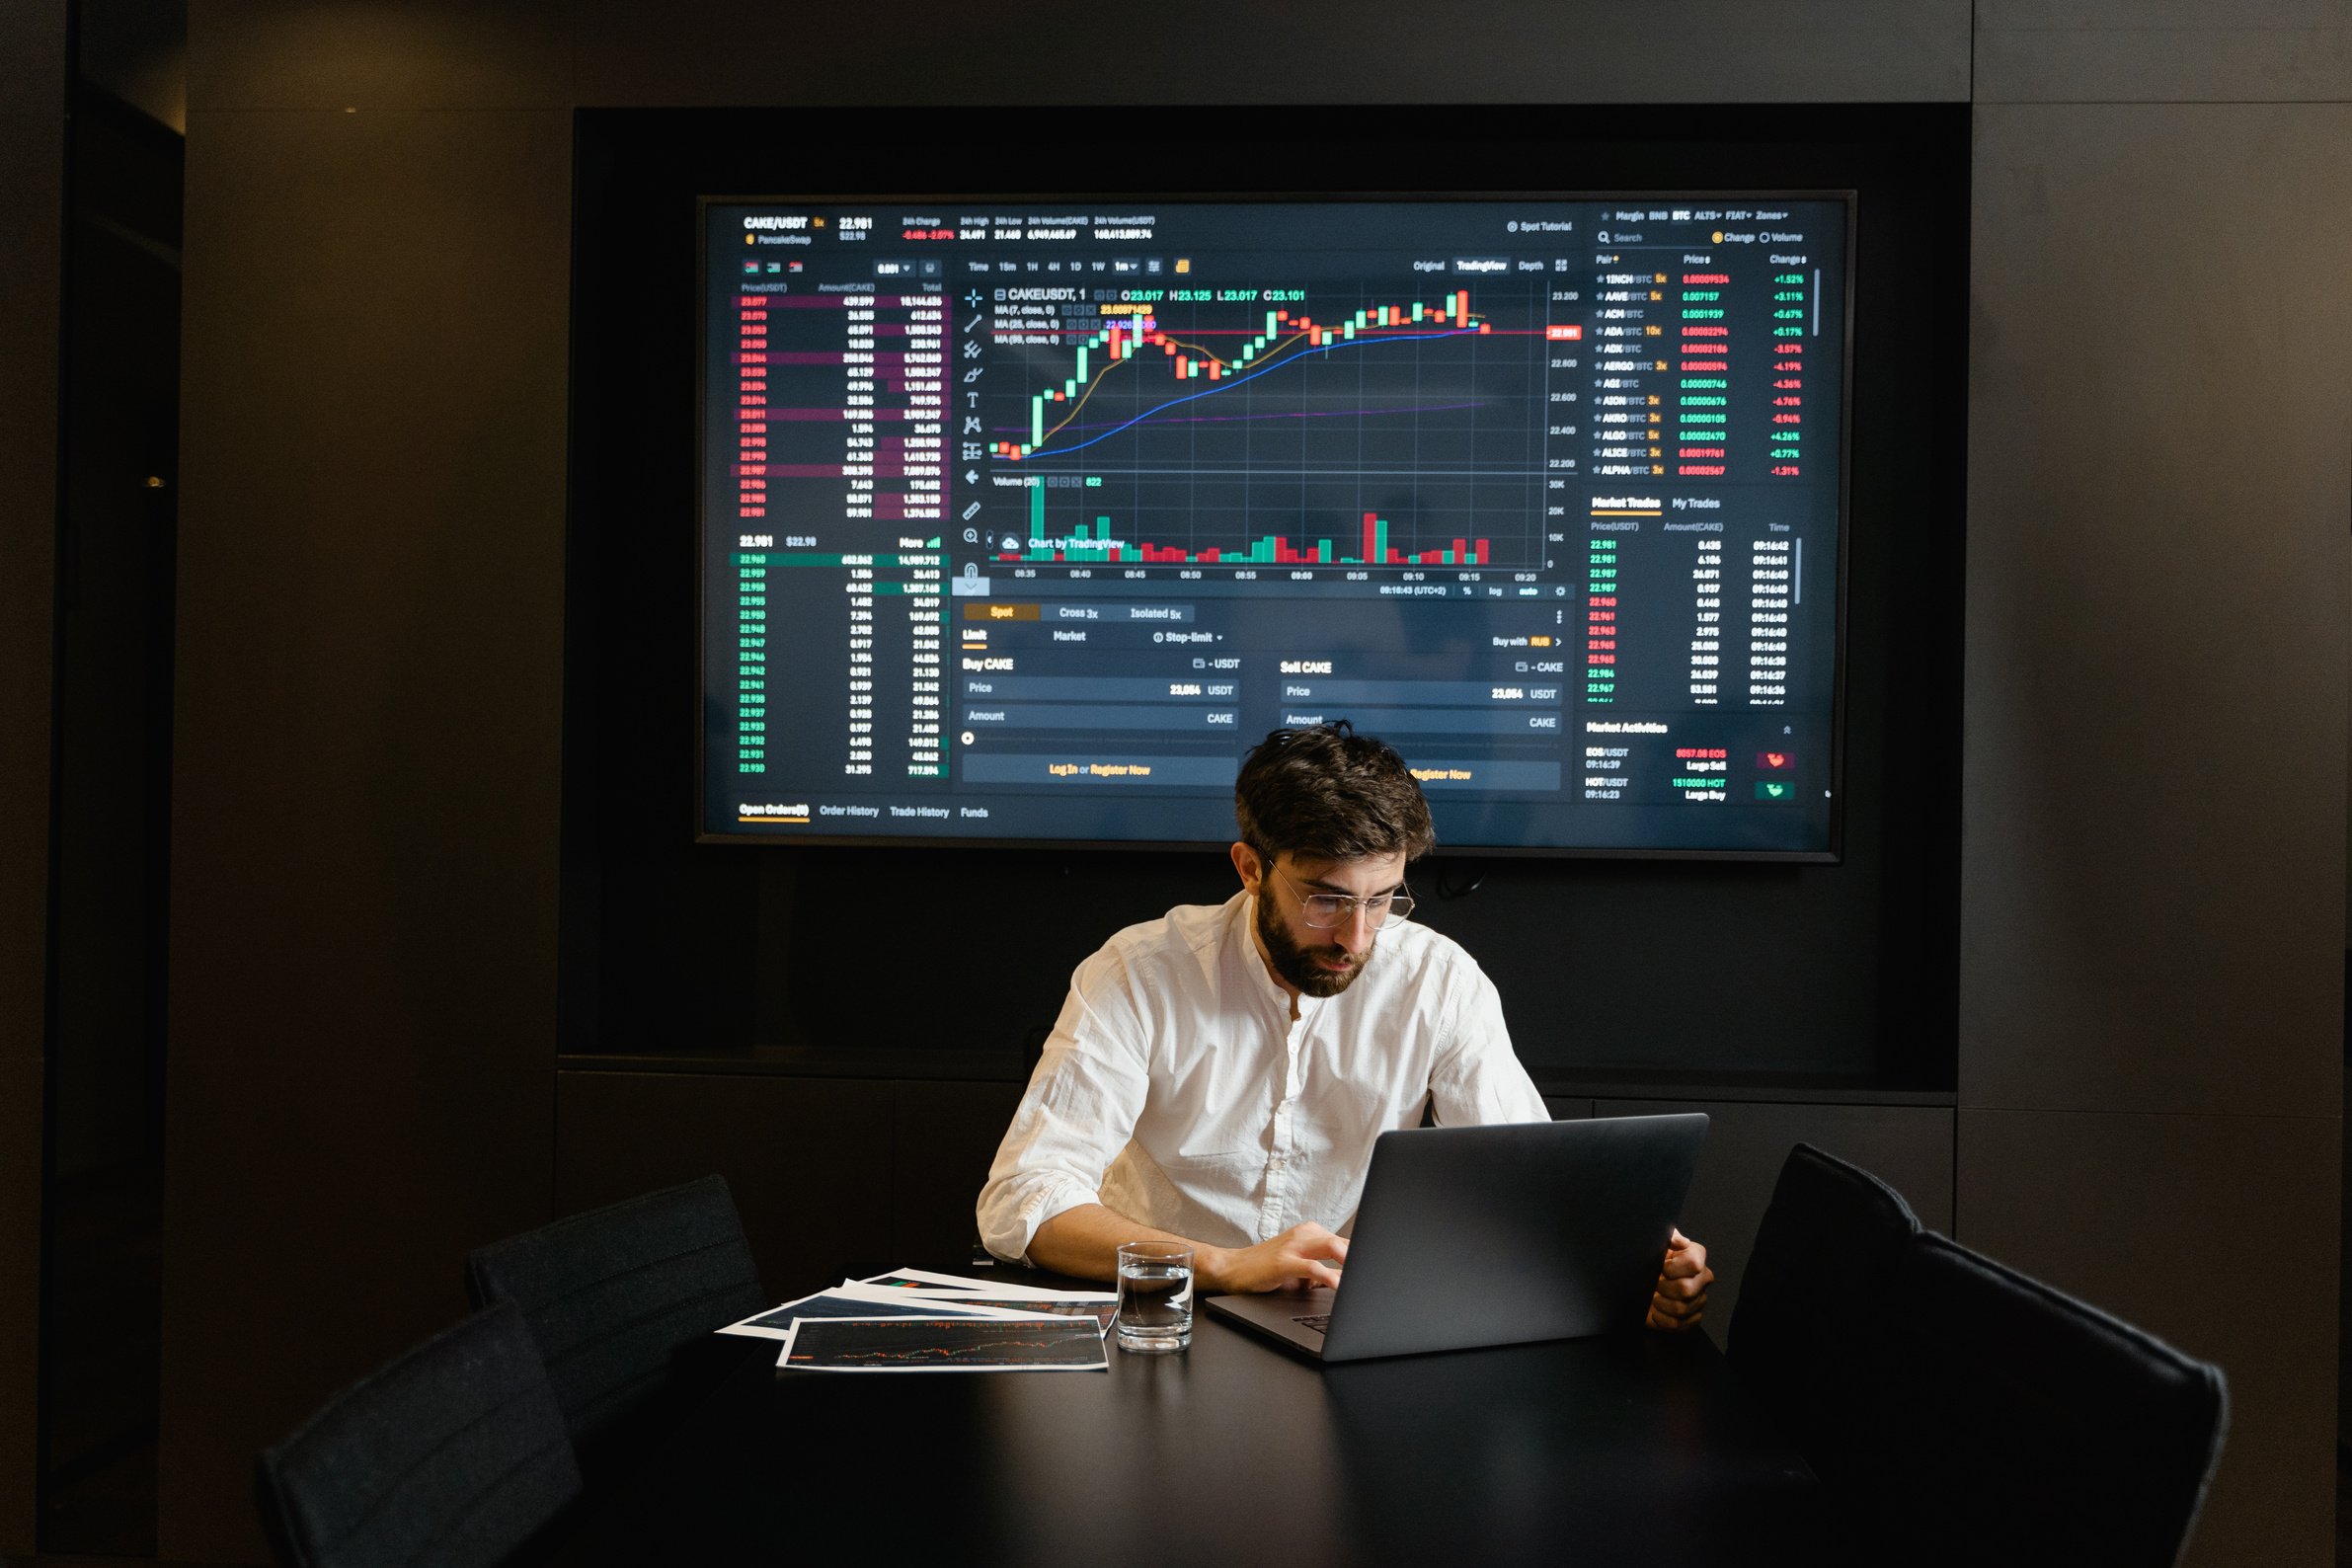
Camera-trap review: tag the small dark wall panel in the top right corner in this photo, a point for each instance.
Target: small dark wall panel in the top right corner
(2163, 51)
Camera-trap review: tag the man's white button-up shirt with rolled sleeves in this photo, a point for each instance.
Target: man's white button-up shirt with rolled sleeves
(1177, 1090)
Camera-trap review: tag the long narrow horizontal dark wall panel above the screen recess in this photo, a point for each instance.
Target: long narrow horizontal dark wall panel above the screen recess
(1304, 53)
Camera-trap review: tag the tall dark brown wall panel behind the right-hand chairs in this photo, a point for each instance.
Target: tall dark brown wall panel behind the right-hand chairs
(2153, 789)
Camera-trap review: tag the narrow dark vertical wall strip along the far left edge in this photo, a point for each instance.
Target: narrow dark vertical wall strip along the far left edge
(32, 236)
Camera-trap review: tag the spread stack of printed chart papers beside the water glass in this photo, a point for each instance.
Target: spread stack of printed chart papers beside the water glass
(921, 1322)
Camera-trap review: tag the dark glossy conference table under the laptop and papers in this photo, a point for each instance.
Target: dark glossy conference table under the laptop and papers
(1622, 1449)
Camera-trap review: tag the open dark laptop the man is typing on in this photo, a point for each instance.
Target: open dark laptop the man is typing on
(1495, 1235)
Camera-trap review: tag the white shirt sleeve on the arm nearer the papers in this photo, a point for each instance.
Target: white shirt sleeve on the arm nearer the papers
(1078, 1113)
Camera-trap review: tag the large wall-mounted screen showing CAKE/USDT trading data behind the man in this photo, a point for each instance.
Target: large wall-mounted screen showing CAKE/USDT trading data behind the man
(1024, 521)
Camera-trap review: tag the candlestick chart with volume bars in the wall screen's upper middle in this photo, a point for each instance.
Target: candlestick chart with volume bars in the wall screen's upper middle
(1267, 427)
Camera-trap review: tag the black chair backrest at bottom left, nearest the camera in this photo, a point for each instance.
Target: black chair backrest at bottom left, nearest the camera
(453, 1456)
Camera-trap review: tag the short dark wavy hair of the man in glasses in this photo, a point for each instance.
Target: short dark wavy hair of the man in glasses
(1332, 796)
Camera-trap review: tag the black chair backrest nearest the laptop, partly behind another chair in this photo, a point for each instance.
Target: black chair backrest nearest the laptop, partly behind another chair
(1798, 1334)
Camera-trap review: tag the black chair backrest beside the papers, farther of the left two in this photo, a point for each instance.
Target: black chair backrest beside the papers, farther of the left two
(622, 1304)
